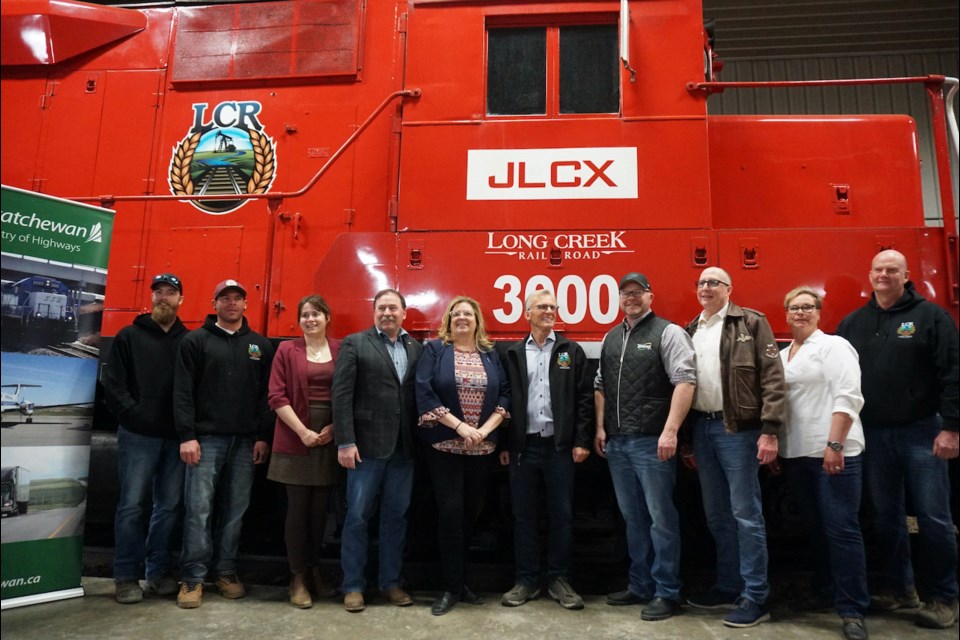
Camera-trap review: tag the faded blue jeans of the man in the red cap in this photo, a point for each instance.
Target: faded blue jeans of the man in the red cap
(216, 495)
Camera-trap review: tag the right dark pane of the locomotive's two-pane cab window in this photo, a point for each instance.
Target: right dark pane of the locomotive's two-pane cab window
(589, 75)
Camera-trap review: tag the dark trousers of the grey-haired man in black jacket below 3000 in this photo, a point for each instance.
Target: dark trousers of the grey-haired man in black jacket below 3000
(540, 459)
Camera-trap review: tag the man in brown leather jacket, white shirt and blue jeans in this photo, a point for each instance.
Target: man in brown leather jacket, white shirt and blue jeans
(738, 412)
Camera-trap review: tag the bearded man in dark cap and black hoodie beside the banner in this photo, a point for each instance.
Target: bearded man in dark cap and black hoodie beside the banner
(138, 383)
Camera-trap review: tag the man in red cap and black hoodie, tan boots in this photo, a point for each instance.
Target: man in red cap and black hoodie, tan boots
(225, 425)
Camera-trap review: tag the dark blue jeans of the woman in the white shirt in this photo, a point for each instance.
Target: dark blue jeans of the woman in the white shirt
(831, 507)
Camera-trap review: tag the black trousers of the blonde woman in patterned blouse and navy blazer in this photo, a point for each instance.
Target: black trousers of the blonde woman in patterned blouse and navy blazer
(459, 486)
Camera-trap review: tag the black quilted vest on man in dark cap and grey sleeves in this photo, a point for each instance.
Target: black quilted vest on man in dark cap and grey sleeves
(636, 388)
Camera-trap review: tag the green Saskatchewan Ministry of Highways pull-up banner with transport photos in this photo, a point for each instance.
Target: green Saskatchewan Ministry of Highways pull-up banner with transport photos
(54, 270)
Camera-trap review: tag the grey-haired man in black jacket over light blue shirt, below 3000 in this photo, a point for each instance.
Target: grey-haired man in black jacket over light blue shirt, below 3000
(550, 431)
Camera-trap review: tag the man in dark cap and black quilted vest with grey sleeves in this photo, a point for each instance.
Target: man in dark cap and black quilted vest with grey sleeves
(643, 389)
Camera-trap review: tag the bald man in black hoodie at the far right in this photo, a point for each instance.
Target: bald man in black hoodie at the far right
(909, 360)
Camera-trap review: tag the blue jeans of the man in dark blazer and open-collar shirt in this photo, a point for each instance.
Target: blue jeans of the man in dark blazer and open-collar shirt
(390, 480)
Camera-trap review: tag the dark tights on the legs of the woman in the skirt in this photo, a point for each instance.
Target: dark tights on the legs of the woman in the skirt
(303, 529)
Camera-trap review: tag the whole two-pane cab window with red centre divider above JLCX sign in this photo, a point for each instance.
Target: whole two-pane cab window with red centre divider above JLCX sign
(553, 70)
